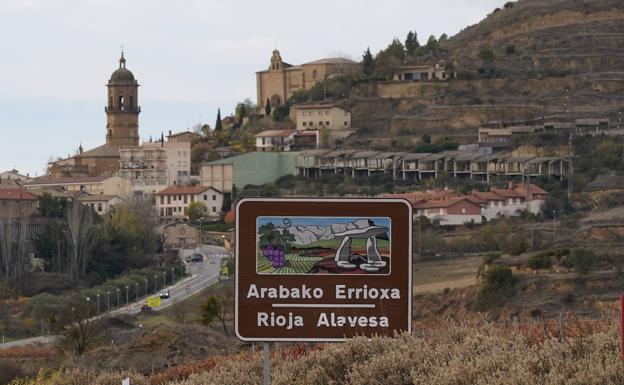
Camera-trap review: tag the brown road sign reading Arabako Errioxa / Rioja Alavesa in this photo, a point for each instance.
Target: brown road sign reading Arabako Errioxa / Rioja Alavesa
(322, 269)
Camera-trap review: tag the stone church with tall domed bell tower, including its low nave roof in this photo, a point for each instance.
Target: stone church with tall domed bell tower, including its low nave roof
(122, 130)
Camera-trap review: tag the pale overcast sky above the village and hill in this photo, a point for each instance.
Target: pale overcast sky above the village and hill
(190, 57)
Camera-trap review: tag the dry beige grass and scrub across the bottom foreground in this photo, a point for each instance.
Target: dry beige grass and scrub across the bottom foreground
(449, 355)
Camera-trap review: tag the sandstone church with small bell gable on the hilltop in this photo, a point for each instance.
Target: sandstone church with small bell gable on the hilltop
(277, 83)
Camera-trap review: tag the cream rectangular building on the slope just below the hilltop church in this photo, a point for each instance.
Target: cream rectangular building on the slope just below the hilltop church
(319, 115)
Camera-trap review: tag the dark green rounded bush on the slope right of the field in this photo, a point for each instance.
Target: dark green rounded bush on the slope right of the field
(498, 285)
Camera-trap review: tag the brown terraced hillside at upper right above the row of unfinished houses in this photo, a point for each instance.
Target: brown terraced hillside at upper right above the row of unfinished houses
(552, 60)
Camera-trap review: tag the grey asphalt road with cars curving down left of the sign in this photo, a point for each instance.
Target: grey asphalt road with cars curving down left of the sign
(203, 274)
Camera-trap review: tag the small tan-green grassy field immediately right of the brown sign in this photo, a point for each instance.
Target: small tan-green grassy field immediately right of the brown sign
(434, 276)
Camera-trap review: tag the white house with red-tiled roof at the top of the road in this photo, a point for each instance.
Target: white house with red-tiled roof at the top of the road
(173, 202)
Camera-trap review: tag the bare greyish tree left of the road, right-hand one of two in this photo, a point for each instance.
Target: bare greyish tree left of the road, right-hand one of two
(80, 237)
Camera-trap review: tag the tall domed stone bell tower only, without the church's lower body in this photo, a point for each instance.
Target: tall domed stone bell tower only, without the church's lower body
(122, 111)
